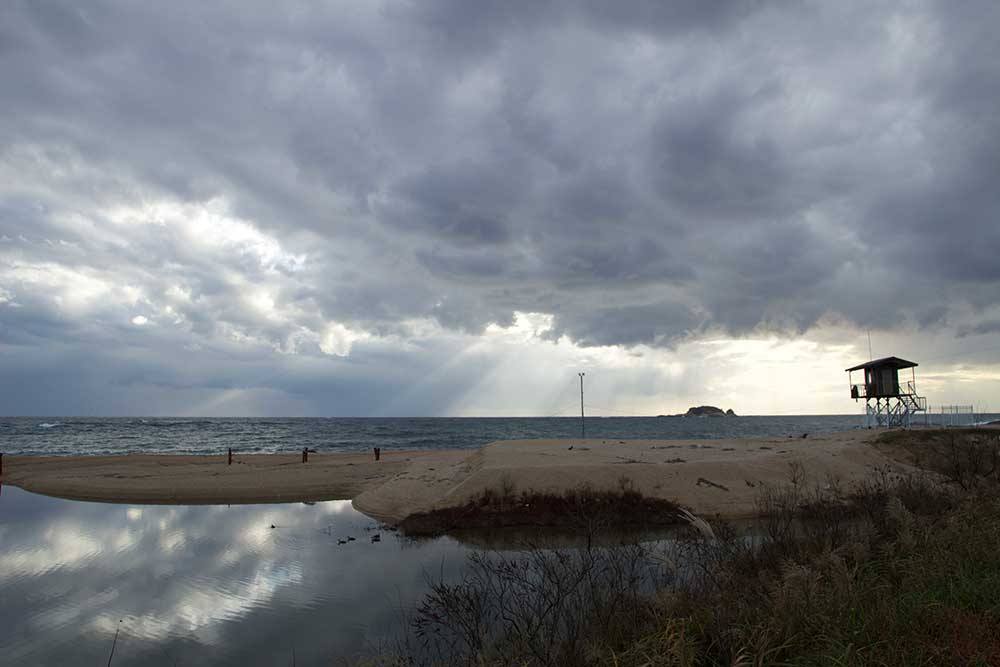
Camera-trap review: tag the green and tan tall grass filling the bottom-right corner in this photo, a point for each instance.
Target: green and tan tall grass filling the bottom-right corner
(924, 593)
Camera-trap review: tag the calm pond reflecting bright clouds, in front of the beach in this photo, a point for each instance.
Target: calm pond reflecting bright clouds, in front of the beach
(187, 585)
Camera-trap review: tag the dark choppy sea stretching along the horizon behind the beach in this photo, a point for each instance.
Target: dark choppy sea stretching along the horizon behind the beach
(92, 435)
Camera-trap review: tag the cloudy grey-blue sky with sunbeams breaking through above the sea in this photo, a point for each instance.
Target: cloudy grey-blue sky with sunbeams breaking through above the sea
(447, 208)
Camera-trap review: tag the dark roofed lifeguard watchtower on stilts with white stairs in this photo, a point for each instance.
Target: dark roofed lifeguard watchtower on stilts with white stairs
(886, 403)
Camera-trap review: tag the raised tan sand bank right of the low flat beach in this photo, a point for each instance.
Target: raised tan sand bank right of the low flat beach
(708, 476)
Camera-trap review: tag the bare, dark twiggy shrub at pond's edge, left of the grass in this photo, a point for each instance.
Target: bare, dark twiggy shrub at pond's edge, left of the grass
(538, 607)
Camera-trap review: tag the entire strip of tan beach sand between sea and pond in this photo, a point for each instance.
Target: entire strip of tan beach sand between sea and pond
(708, 476)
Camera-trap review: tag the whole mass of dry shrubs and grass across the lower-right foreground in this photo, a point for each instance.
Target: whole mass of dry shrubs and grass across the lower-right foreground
(894, 571)
